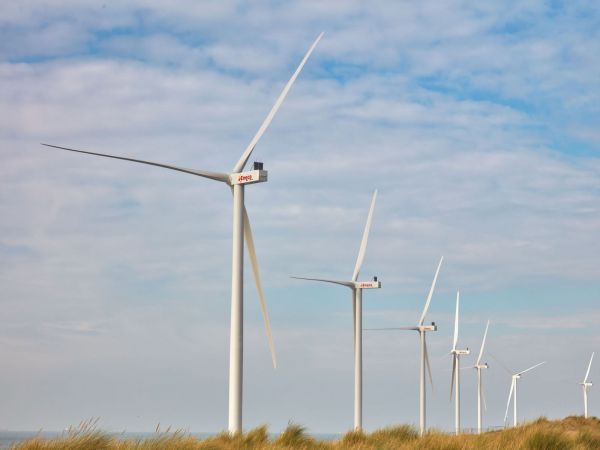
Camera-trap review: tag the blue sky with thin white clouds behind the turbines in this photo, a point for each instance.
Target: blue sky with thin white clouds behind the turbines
(476, 121)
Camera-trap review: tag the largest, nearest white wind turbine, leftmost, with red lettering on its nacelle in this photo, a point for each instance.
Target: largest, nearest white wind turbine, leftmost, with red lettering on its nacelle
(236, 180)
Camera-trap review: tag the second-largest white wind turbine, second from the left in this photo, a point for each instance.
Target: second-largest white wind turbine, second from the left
(357, 287)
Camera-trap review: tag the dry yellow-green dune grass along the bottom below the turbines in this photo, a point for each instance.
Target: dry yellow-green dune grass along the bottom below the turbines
(571, 433)
